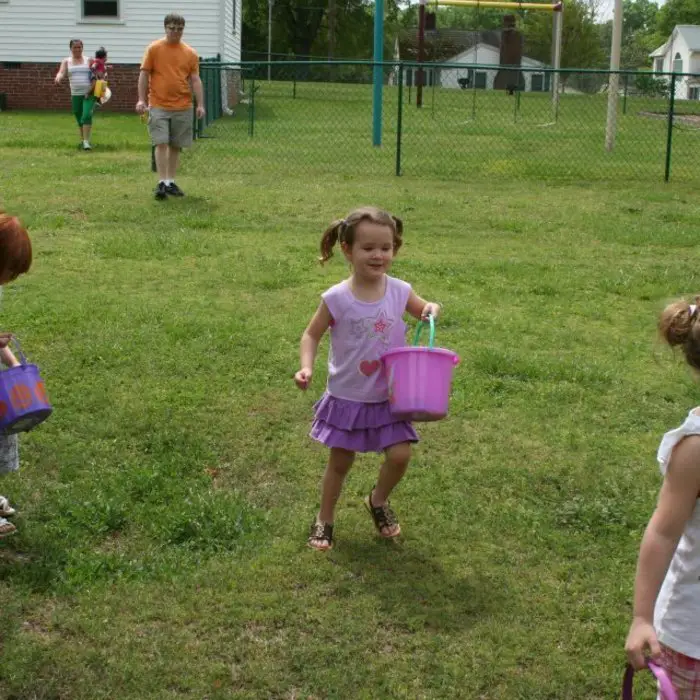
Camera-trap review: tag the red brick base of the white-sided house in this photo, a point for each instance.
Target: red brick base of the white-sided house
(31, 86)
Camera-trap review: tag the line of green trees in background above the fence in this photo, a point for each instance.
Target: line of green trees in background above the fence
(343, 29)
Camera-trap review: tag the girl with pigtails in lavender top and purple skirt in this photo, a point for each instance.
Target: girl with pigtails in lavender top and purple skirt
(365, 316)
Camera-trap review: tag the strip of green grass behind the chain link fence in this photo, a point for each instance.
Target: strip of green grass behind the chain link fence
(458, 134)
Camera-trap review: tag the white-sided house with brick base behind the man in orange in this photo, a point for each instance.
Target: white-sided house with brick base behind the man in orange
(34, 38)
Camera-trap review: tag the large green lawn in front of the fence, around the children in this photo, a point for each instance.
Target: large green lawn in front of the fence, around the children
(165, 504)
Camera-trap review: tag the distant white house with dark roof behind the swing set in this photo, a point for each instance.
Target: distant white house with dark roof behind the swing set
(468, 48)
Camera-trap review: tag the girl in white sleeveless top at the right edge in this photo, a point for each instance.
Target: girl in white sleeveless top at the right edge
(666, 618)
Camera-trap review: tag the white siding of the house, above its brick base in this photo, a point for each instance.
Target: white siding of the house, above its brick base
(38, 31)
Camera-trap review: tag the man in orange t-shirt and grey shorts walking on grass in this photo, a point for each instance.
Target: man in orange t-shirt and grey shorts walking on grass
(169, 75)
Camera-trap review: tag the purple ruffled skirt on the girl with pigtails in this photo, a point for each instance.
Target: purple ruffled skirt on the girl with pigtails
(357, 426)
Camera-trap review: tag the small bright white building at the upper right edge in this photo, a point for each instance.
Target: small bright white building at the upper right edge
(681, 54)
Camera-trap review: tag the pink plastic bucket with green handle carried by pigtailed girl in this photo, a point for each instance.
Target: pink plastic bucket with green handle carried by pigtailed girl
(419, 379)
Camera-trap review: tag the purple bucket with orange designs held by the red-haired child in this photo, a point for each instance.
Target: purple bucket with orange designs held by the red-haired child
(23, 400)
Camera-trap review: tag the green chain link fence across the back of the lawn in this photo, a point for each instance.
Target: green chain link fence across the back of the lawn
(448, 121)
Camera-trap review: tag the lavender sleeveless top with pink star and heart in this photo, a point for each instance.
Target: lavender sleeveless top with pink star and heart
(360, 333)
